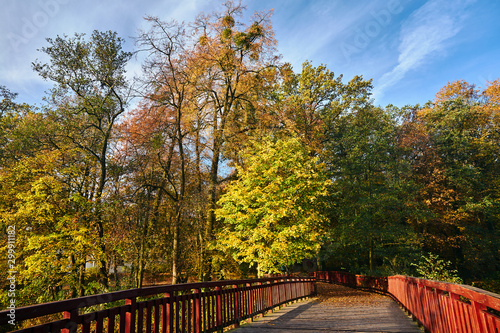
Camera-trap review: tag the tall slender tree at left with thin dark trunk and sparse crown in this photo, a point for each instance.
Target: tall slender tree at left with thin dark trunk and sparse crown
(91, 93)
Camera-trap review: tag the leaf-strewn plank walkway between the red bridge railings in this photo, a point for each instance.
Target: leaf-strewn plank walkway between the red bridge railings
(336, 309)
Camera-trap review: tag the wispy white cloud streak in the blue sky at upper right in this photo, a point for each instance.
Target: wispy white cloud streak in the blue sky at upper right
(424, 34)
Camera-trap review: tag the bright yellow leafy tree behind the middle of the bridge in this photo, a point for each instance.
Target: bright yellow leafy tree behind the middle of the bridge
(274, 212)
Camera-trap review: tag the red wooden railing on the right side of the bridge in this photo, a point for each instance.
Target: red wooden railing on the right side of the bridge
(438, 306)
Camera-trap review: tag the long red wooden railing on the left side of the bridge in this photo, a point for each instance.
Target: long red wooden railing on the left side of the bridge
(193, 307)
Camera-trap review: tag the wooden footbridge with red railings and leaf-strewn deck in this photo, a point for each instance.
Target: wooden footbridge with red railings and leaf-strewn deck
(222, 305)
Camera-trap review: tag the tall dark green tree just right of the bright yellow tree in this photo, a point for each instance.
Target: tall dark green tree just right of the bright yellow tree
(368, 195)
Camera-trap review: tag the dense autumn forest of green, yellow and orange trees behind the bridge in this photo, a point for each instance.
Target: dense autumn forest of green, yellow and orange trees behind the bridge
(221, 162)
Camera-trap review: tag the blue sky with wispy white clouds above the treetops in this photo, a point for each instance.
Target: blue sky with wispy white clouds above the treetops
(410, 48)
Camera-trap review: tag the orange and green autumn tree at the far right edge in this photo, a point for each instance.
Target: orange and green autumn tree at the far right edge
(455, 164)
